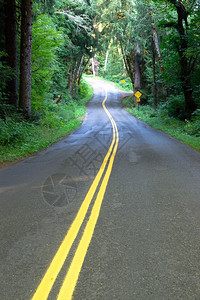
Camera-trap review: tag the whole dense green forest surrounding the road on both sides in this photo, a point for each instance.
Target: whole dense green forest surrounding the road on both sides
(46, 47)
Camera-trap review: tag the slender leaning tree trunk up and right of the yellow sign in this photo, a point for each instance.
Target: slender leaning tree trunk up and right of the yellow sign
(157, 48)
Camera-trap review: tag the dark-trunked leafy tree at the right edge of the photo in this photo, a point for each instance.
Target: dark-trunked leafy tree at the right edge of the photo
(180, 54)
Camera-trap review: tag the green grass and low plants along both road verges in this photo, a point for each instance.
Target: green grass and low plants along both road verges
(19, 138)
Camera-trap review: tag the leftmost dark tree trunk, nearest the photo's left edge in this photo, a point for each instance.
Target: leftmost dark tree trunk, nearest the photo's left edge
(11, 49)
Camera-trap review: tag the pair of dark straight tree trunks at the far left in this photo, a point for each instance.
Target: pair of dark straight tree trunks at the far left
(11, 47)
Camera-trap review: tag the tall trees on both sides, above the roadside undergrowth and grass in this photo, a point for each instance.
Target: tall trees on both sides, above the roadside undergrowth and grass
(94, 28)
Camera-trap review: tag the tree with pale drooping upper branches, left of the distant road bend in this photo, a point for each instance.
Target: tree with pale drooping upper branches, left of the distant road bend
(76, 19)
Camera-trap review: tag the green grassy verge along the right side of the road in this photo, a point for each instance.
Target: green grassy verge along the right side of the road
(185, 131)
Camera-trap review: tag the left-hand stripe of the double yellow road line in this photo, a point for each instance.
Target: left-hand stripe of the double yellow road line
(52, 272)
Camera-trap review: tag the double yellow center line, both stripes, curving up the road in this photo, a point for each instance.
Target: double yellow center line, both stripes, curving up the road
(72, 275)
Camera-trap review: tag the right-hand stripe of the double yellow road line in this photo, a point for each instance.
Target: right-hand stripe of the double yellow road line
(69, 283)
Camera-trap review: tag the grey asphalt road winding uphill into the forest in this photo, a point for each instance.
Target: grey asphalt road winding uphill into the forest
(139, 237)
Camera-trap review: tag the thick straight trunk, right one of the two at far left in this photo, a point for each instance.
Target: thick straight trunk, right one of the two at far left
(25, 57)
